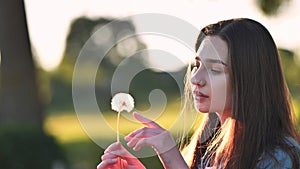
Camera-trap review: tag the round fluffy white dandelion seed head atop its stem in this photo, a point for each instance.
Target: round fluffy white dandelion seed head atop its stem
(121, 102)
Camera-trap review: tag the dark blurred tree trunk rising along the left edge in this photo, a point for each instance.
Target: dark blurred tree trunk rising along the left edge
(19, 99)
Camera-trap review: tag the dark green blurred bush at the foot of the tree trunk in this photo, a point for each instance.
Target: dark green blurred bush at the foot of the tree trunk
(24, 147)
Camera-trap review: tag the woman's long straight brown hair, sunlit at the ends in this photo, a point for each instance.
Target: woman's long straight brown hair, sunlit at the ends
(262, 115)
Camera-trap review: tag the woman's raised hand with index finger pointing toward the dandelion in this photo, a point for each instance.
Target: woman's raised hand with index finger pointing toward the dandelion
(158, 138)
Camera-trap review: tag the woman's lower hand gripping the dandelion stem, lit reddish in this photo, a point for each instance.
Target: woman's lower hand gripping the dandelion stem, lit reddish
(116, 157)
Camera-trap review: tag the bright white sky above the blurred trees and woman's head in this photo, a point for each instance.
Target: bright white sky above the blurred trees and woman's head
(49, 21)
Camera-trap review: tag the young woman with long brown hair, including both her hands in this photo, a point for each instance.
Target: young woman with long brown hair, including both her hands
(237, 78)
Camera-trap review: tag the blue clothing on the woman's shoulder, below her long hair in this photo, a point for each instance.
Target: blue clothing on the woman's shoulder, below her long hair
(280, 159)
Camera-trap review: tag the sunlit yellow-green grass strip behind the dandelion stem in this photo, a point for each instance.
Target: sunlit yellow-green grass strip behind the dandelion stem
(67, 127)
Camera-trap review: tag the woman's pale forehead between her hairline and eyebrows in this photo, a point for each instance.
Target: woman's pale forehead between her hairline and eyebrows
(213, 47)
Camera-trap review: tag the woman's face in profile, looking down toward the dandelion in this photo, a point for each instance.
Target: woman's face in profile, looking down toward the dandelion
(210, 79)
